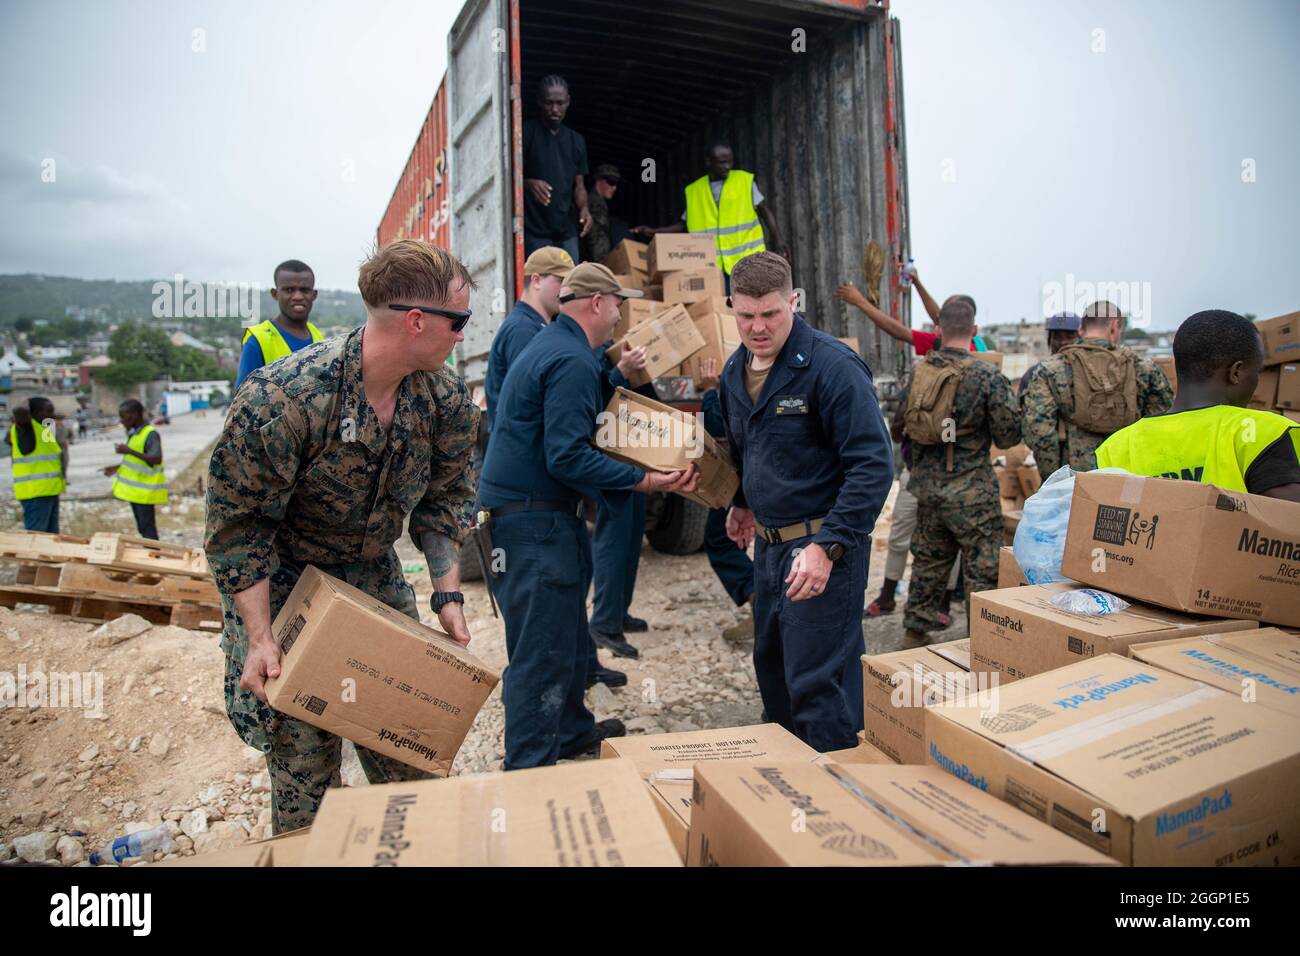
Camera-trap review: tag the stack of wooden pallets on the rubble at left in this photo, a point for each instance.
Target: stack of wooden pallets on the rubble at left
(105, 577)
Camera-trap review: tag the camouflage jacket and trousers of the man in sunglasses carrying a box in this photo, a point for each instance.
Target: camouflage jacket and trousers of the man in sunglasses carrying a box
(304, 474)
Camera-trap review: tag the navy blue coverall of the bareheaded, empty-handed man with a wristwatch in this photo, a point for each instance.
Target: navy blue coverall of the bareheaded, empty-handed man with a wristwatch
(813, 447)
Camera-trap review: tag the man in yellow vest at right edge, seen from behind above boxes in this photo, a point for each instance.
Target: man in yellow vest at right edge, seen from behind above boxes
(1210, 435)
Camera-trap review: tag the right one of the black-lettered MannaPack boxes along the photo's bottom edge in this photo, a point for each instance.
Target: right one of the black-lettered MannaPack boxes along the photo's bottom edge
(852, 815)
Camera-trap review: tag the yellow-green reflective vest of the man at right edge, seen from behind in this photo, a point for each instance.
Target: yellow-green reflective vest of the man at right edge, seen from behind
(1215, 445)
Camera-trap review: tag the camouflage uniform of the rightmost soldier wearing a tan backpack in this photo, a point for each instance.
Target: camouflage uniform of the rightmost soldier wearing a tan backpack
(1050, 396)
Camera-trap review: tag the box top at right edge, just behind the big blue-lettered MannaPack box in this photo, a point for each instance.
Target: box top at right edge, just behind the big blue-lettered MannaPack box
(1260, 665)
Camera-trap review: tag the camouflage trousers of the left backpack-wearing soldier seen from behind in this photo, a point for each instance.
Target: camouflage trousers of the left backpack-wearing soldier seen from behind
(944, 529)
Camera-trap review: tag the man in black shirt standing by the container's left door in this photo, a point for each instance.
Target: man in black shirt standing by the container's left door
(554, 166)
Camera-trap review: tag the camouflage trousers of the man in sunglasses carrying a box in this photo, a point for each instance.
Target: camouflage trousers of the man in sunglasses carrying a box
(304, 760)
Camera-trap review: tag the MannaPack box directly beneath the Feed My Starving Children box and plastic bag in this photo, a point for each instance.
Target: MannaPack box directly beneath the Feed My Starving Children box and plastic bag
(1019, 633)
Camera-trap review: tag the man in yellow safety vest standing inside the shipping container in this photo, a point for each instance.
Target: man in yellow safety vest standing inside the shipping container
(727, 204)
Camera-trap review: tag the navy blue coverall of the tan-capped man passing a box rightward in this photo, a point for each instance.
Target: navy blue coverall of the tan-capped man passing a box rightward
(543, 457)
